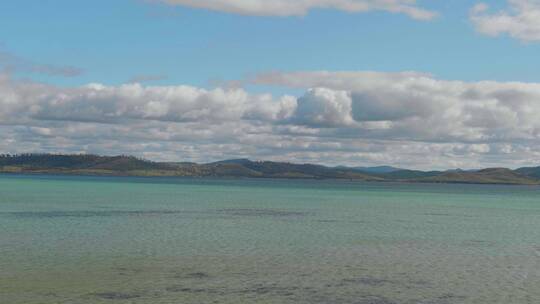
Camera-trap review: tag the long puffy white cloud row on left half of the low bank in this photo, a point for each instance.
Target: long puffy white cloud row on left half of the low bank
(118, 104)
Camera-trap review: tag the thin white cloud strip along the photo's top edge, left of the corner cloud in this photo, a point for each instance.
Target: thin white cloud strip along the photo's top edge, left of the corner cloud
(301, 7)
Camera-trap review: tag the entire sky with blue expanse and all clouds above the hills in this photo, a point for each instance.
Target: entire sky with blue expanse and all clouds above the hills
(427, 84)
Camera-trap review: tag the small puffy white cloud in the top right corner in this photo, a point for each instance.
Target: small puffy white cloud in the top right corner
(521, 20)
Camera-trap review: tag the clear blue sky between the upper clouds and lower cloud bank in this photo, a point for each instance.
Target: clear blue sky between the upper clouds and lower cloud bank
(114, 41)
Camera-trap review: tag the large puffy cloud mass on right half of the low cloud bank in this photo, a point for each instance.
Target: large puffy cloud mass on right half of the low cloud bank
(415, 106)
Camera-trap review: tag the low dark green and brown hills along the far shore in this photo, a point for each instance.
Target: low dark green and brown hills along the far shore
(244, 168)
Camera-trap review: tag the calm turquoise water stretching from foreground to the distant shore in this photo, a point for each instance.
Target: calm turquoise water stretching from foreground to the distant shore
(160, 240)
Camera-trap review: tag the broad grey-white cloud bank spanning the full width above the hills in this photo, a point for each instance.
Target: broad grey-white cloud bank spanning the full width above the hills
(356, 118)
